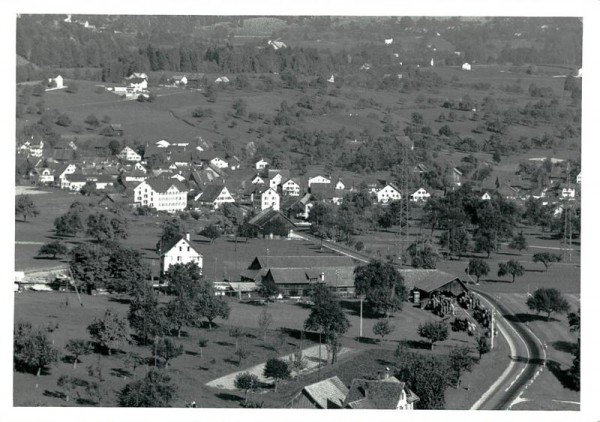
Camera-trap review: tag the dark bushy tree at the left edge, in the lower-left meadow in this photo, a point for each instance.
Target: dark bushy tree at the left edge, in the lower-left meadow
(32, 349)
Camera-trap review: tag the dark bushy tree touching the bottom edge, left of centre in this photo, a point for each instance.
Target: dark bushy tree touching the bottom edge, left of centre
(155, 390)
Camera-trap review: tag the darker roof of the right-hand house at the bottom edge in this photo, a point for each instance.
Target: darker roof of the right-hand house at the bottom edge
(374, 394)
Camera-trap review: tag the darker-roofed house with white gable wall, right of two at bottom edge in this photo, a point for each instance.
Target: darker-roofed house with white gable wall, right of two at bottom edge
(385, 393)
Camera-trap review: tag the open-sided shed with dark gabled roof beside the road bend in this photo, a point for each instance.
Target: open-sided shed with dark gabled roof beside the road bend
(427, 282)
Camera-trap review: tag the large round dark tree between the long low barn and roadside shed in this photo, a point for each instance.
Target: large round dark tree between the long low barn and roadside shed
(382, 285)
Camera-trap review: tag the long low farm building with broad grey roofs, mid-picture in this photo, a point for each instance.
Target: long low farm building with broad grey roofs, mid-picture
(295, 275)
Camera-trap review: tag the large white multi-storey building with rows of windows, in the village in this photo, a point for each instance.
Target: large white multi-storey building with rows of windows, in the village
(162, 194)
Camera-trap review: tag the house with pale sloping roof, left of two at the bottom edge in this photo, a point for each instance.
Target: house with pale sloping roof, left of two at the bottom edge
(327, 394)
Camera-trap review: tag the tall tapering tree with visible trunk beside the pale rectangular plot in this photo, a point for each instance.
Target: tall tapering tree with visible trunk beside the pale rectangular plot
(327, 318)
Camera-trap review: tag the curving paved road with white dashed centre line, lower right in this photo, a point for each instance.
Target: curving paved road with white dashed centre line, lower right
(527, 354)
